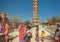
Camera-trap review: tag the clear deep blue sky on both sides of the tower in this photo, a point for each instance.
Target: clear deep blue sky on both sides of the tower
(23, 8)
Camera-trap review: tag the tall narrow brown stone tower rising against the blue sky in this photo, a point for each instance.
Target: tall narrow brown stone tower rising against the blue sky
(35, 12)
